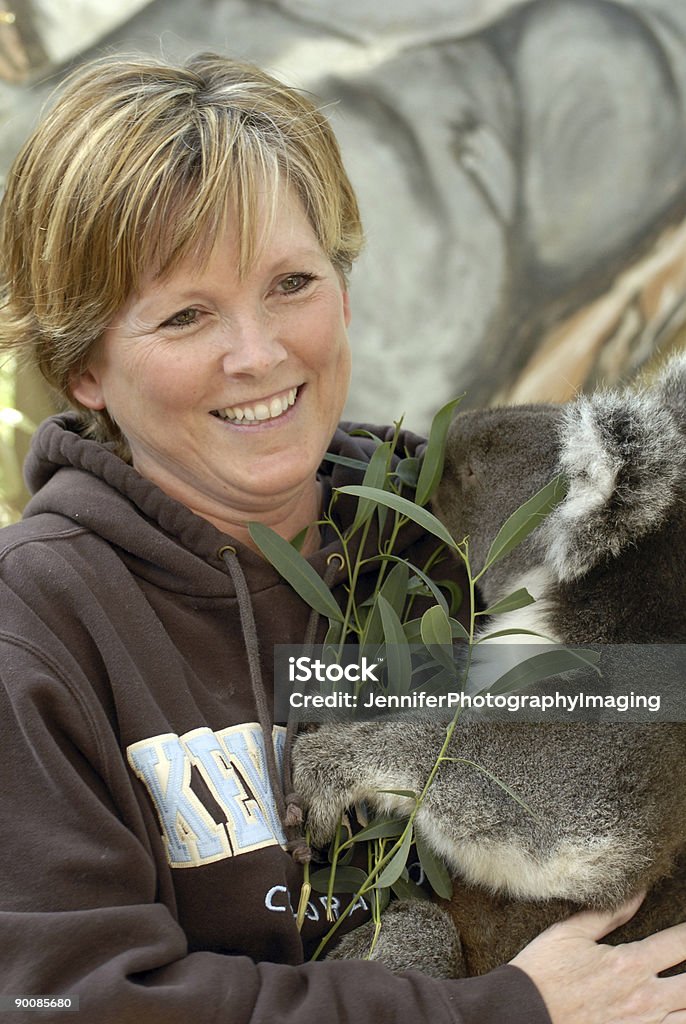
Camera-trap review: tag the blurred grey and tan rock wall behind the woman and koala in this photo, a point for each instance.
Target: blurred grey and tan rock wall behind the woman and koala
(521, 164)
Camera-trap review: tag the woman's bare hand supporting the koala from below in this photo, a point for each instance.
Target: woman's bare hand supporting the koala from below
(583, 983)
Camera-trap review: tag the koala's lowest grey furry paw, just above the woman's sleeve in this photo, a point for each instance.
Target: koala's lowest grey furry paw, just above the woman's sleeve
(415, 934)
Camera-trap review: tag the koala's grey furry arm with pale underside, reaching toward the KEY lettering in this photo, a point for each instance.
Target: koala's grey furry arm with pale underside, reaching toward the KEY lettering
(602, 819)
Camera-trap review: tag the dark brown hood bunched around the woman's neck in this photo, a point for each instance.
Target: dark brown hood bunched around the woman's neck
(173, 547)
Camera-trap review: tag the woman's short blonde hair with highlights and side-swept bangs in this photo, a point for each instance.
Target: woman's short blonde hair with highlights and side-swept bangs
(139, 163)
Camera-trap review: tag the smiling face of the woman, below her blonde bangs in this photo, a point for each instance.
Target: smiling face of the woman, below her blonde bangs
(229, 391)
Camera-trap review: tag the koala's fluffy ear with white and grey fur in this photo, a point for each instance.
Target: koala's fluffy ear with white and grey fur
(625, 457)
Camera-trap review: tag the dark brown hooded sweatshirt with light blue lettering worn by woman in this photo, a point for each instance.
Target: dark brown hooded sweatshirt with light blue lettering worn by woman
(144, 861)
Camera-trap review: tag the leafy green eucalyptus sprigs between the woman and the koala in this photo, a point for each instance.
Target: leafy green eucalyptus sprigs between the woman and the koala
(387, 614)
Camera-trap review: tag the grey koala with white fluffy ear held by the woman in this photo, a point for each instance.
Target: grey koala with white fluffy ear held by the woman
(607, 567)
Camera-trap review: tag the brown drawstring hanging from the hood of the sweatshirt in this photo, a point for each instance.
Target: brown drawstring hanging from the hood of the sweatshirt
(289, 804)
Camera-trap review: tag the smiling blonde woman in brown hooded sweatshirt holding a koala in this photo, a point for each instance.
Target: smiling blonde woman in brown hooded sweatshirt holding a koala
(176, 243)
